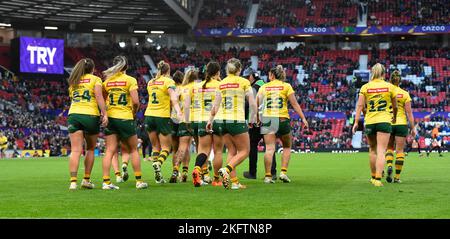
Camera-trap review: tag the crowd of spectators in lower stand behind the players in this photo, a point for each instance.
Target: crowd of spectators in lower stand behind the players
(33, 111)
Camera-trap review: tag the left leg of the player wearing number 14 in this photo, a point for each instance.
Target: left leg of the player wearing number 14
(111, 149)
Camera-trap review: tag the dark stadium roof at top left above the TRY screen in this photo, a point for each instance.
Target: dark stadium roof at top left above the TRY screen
(84, 15)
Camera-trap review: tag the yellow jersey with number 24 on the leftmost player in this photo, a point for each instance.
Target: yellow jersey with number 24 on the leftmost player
(82, 96)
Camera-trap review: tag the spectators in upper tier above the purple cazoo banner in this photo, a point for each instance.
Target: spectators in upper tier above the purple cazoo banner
(324, 13)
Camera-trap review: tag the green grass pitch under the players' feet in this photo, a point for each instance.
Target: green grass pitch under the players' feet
(323, 186)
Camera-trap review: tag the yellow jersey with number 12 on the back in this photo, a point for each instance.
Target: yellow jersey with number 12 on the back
(378, 94)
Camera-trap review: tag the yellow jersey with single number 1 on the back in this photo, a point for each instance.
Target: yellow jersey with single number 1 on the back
(159, 99)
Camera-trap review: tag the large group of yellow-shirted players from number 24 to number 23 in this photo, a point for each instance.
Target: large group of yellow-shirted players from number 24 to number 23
(180, 109)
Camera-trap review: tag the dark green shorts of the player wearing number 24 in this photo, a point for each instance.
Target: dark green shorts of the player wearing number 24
(89, 124)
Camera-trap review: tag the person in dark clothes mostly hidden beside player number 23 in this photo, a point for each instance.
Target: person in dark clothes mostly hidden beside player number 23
(255, 131)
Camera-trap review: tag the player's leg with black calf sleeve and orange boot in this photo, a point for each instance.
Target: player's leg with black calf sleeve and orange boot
(204, 148)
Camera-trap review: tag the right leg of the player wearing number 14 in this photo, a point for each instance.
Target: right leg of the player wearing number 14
(131, 149)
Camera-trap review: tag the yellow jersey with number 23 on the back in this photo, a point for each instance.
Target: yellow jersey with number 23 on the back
(275, 97)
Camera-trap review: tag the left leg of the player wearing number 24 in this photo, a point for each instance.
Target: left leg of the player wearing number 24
(76, 143)
